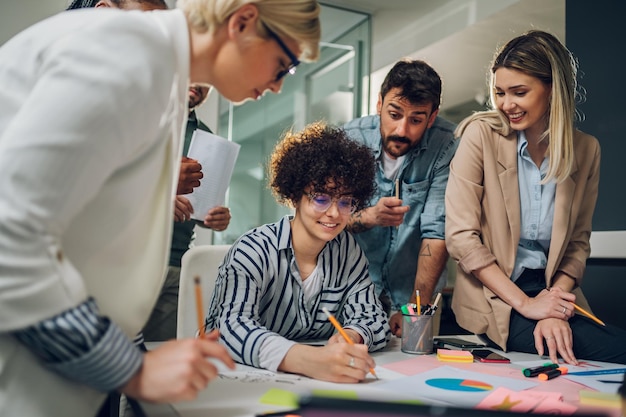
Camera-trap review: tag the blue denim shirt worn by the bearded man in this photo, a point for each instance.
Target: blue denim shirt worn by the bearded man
(423, 176)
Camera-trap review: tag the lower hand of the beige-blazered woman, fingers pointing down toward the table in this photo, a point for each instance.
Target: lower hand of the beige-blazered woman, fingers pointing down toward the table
(559, 339)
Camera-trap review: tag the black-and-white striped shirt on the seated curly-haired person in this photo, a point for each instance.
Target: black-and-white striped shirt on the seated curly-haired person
(259, 304)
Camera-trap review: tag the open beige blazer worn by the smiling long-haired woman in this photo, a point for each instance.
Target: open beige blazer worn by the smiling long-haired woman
(483, 221)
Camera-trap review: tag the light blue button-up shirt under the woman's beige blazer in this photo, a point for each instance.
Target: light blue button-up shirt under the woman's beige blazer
(537, 211)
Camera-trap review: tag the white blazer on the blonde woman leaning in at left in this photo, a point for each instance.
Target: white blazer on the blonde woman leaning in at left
(92, 112)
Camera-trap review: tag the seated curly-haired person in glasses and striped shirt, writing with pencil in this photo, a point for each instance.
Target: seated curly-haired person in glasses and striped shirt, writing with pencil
(276, 279)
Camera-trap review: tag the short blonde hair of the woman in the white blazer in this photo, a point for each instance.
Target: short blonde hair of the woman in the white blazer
(293, 19)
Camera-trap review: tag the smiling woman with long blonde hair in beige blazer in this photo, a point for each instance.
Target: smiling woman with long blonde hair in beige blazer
(519, 202)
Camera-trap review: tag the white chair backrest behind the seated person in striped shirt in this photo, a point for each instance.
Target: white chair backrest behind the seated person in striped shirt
(202, 261)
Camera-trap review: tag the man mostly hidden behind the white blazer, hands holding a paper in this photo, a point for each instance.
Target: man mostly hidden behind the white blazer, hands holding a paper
(162, 322)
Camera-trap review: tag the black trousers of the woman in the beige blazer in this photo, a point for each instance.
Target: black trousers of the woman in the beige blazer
(591, 340)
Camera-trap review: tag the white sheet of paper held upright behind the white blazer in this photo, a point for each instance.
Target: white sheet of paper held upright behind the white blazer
(217, 157)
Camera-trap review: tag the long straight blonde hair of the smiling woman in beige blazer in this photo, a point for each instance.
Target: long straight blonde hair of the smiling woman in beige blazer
(540, 55)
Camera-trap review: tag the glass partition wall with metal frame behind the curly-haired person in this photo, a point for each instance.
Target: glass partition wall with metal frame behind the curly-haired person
(334, 89)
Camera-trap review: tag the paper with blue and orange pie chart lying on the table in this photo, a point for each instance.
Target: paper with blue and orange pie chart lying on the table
(454, 386)
